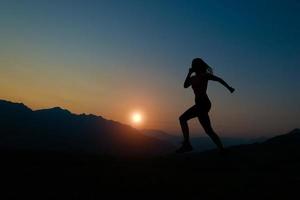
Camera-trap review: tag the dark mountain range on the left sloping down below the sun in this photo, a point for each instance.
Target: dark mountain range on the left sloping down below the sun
(57, 129)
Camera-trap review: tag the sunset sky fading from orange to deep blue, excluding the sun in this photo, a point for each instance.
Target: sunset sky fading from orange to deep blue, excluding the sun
(113, 57)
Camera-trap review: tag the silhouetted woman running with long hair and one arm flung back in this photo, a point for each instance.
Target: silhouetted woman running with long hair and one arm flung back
(203, 73)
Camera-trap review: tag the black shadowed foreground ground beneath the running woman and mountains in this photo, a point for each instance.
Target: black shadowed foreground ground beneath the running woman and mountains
(247, 172)
